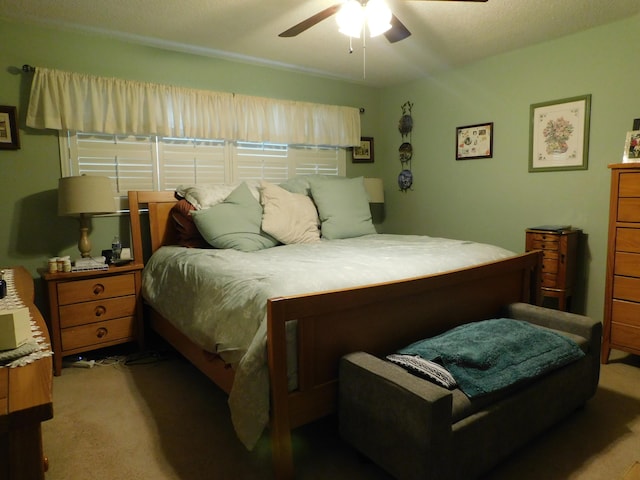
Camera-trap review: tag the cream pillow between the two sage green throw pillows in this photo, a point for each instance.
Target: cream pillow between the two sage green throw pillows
(288, 217)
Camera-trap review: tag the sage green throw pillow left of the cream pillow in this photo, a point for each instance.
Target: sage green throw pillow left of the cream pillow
(234, 223)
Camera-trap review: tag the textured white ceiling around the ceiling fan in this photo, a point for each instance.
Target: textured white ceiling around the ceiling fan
(444, 33)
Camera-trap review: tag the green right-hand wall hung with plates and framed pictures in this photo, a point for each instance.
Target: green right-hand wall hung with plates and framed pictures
(494, 200)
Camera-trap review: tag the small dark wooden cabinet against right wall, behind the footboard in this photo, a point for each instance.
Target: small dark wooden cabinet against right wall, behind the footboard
(559, 256)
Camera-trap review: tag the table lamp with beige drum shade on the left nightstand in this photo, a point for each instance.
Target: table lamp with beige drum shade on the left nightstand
(83, 196)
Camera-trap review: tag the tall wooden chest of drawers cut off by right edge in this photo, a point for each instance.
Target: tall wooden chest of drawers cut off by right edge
(622, 288)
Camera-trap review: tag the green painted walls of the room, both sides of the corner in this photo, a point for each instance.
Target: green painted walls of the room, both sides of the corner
(489, 200)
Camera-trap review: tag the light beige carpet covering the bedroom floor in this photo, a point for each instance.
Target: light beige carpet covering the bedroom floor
(165, 421)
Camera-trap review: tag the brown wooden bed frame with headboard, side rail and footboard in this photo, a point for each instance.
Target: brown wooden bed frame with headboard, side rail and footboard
(376, 318)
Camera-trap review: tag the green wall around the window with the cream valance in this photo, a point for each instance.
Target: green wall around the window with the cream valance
(31, 230)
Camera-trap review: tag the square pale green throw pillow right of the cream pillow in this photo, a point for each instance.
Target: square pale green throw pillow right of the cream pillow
(343, 207)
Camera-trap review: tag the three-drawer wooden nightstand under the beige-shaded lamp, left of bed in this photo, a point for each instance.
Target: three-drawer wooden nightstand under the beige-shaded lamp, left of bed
(93, 309)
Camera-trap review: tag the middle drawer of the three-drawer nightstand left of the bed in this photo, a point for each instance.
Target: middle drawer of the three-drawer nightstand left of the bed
(97, 311)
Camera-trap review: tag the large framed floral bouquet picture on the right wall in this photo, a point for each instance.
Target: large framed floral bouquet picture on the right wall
(559, 134)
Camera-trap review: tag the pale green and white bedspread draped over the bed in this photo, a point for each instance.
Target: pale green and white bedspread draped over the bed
(218, 297)
